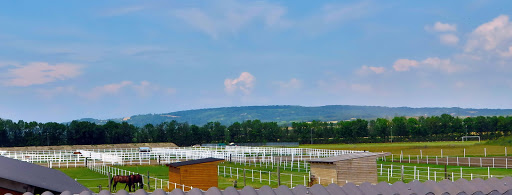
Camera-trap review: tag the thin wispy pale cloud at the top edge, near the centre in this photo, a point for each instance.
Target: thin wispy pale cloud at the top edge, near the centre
(232, 16)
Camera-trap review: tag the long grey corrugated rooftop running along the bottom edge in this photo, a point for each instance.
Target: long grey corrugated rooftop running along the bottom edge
(492, 186)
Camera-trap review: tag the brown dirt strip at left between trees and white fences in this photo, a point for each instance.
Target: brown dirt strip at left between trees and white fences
(103, 146)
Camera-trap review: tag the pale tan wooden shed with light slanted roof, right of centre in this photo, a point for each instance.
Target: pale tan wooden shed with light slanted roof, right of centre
(356, 168)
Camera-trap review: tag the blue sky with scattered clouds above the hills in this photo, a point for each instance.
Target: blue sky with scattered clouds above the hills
(63, 60)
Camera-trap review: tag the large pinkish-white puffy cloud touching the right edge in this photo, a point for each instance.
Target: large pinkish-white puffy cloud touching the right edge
(495, 35)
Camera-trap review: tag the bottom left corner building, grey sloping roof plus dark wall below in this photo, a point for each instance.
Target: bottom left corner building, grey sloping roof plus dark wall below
(18, 177)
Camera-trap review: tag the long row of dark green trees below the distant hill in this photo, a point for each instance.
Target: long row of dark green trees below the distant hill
(433, 128)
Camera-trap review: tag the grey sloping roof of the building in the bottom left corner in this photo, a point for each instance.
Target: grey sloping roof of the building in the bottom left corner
(38, 176)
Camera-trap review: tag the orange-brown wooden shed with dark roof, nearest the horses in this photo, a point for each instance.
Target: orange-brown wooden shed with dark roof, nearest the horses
(200, 173)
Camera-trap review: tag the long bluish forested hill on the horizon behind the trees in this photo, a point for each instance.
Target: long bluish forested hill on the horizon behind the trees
(288, 114)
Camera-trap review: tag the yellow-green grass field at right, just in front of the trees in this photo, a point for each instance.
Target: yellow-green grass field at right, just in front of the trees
(450, 148)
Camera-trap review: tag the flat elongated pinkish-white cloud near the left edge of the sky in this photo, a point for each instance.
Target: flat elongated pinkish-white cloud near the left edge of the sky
(37, 73)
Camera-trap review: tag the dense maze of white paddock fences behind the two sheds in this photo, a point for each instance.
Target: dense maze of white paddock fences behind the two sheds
(241, 154)
